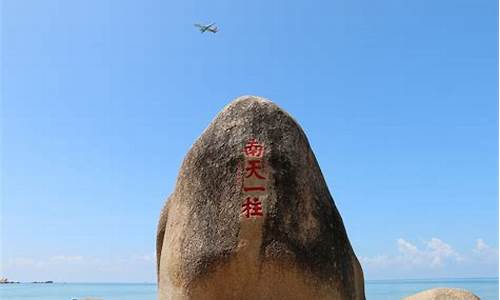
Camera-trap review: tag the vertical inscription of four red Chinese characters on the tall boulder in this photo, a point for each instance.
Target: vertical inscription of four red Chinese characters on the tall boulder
(254, 179)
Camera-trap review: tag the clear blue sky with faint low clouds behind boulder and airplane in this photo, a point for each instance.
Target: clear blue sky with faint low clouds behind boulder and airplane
(102, 99)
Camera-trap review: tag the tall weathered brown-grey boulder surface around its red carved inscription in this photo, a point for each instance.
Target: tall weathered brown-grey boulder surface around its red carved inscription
(298, 249)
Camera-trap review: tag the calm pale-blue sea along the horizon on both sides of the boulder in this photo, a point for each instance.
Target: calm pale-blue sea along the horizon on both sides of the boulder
(485, 288)
